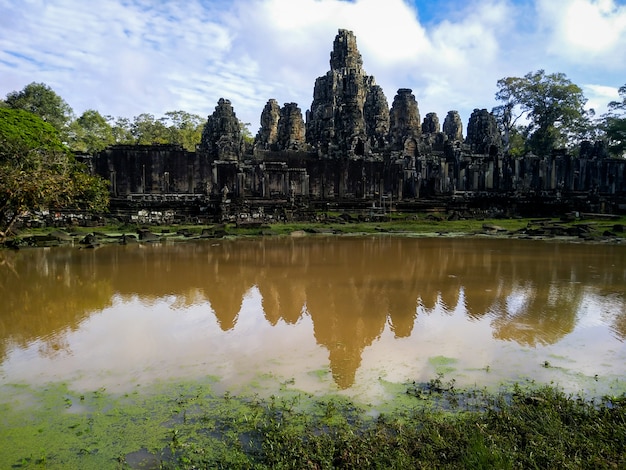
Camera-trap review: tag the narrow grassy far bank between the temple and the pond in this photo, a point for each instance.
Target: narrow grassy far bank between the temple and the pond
(584, 228)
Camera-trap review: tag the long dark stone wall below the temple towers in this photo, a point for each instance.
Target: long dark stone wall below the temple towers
(162, 170)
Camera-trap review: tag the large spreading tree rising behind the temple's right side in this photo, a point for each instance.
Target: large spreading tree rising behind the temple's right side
(551, 105)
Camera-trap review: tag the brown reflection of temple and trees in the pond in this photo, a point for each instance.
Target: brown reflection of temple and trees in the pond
(352, 288)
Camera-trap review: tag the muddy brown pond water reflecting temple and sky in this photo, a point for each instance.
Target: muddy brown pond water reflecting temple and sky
(321, 314)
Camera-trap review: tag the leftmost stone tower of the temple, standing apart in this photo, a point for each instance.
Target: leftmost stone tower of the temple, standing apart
(221, 137)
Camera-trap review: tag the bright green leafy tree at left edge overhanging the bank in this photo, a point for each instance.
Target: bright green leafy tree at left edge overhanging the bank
(37, 171)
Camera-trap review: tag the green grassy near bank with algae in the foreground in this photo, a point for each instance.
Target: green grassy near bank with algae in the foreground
(432, 425)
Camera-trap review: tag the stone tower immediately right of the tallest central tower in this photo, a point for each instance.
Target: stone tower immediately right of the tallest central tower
(404, 122)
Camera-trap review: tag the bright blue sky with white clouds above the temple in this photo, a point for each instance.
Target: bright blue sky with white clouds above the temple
(126, 57)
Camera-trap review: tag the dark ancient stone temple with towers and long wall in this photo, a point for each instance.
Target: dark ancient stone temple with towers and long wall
(356, 152)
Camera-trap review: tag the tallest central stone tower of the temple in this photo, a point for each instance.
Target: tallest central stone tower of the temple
(336, 122)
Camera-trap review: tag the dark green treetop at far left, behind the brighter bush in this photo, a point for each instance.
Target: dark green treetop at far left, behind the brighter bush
(40, 99)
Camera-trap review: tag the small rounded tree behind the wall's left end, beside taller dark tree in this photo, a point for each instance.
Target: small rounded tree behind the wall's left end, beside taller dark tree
(90, 133)
